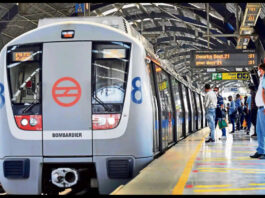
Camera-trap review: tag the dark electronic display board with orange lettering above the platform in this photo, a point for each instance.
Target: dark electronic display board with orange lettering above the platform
(223, 58)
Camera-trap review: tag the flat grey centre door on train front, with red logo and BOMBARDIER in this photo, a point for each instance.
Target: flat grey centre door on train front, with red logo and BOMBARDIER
(67, 99)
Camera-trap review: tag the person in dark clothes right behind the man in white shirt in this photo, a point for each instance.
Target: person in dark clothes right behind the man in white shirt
(219, 110)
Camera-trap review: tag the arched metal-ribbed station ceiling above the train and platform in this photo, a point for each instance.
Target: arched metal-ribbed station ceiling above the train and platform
(173, 28)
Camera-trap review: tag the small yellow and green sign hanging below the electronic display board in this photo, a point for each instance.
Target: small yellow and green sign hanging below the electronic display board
(230, 76)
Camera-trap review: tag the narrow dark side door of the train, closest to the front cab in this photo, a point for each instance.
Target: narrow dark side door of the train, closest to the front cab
(155, 110)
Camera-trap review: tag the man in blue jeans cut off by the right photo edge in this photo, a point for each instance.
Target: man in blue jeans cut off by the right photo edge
(260, 102)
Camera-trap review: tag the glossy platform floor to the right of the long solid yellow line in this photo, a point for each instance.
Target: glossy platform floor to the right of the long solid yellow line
(224, 167)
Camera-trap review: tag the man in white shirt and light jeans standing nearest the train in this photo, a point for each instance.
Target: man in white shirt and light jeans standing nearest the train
(210, 107)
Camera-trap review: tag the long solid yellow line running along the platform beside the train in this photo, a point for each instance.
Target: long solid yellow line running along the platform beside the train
(179, 188)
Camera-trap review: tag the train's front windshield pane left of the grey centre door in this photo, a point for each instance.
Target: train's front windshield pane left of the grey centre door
(24, 76)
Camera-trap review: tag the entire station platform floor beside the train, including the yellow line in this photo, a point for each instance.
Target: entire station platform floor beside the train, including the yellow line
(195, 167)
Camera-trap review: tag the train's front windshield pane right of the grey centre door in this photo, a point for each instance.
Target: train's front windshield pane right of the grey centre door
(110, 62)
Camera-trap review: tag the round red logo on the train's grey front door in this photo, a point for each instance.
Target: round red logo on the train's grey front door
(66, 92)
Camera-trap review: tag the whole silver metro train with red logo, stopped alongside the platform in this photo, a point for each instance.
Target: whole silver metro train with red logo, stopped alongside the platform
(86, 104)
